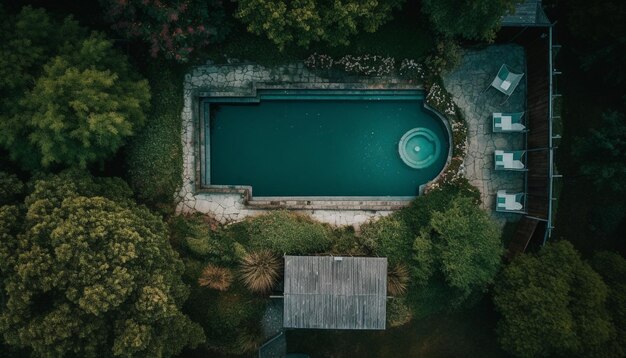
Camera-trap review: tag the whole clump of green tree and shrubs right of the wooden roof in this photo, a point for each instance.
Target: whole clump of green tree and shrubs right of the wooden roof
(450, 246)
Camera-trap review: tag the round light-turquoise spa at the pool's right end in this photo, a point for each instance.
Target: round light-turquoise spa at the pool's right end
(419, 148)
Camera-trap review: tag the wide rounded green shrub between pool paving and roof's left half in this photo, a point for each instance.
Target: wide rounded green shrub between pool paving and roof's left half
(285, 232)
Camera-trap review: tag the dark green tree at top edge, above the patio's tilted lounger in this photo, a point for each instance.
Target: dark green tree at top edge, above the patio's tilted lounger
(471, 19)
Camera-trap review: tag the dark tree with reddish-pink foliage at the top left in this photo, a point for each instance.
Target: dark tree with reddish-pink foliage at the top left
(174, 28)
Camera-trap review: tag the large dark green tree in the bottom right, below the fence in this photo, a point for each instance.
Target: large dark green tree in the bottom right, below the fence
(552, 304)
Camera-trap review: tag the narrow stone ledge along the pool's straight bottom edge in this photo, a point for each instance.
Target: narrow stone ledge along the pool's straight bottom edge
(304, 204)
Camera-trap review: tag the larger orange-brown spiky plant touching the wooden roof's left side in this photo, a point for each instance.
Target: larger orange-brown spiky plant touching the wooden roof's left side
(259, 270)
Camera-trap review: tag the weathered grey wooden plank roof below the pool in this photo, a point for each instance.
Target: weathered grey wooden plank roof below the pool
(335, 292)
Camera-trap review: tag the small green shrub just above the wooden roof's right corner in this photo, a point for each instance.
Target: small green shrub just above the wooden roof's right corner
(390, 237)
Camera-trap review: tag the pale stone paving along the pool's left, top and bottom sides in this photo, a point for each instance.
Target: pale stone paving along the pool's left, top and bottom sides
(242, 79)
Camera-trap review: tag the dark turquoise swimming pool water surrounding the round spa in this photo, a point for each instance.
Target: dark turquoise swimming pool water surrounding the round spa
(316, 143)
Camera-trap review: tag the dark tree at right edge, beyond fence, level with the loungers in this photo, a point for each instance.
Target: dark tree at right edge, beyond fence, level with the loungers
(602, 152)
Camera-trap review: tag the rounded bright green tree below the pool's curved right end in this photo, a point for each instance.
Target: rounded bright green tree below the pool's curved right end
(464, 246)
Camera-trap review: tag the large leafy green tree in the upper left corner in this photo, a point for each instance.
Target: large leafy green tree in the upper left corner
(71, 99)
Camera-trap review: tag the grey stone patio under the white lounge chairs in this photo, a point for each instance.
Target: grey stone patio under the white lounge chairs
(467, 84)
